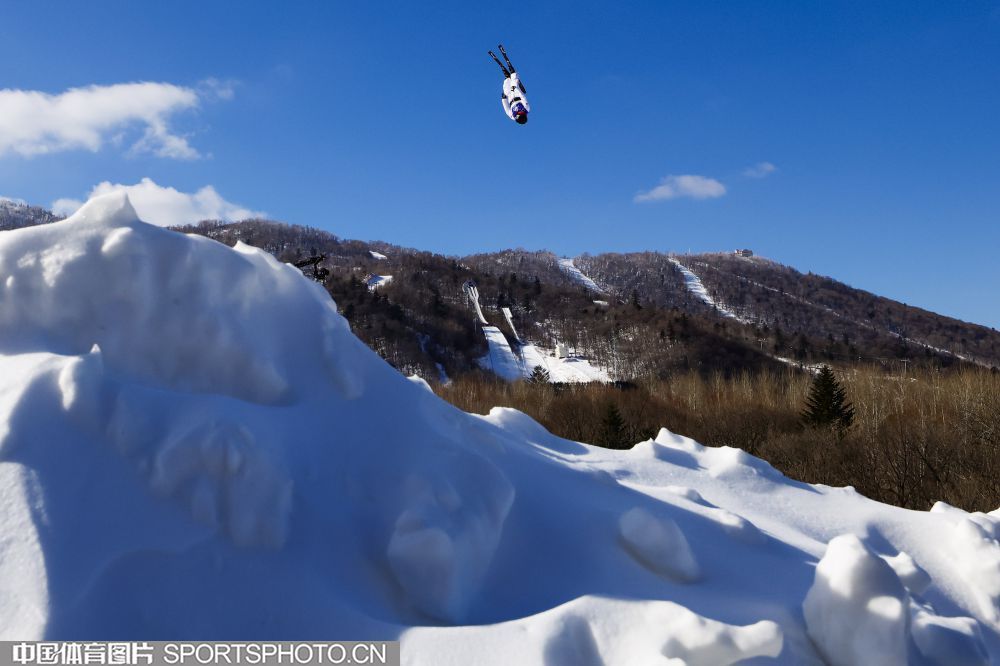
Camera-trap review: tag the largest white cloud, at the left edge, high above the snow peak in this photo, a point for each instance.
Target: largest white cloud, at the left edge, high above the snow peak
(36, 123)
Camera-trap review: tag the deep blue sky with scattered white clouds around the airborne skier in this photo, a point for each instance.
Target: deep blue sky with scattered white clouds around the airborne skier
(381, 120)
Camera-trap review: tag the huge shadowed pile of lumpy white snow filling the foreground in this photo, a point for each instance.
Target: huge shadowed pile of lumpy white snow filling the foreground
(193, 444)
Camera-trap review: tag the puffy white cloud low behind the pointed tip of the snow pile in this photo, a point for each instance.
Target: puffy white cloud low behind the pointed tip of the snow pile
(166, 206)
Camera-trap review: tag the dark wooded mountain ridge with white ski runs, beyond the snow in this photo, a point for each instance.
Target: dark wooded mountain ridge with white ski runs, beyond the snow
(638, 317)
